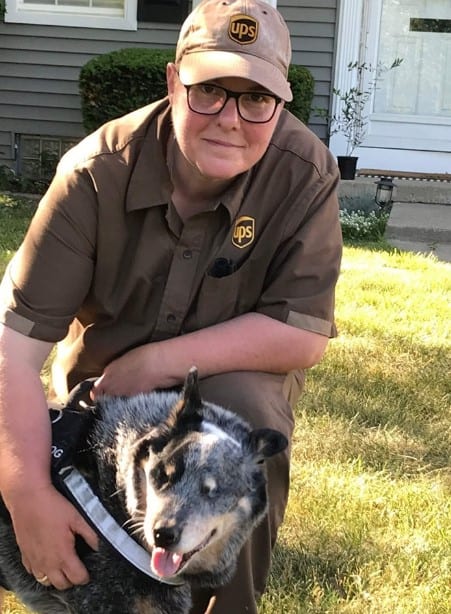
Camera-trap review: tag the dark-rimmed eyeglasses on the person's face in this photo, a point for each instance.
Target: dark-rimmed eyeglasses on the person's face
(209, 99)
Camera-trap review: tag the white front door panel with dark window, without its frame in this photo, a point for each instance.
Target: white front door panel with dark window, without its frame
(413, 103)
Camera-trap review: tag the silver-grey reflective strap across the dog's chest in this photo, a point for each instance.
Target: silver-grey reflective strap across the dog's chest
(90, 504)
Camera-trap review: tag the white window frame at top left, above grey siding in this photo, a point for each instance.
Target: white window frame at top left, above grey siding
(73, 16)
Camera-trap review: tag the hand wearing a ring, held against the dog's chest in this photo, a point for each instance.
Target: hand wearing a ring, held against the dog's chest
(45, 524)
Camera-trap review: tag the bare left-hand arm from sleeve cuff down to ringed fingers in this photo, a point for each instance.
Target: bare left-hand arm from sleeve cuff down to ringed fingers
(45, 523)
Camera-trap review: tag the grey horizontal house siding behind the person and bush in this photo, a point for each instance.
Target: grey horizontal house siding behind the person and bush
(39, 67)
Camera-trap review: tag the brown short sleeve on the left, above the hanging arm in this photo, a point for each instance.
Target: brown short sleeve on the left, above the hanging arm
(49, 276)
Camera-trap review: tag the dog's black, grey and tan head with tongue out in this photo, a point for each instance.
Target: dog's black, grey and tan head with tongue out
(199, 487)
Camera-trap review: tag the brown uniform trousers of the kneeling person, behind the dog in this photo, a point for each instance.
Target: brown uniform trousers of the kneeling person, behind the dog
(264, 400)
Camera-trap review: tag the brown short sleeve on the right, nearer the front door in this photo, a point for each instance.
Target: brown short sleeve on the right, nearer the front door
(300, 284)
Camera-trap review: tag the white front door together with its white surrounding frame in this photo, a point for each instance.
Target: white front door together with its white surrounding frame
(410, 114)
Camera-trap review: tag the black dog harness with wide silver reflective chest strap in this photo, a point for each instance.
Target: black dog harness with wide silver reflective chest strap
(70, 427)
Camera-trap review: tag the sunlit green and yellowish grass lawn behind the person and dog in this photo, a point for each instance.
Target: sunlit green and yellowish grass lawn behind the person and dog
(368, 527)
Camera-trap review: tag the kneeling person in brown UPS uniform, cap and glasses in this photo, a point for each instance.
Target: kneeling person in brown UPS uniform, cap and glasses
(200, 230)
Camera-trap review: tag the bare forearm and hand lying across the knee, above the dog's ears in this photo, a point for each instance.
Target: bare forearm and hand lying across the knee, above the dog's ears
(251, 342)
